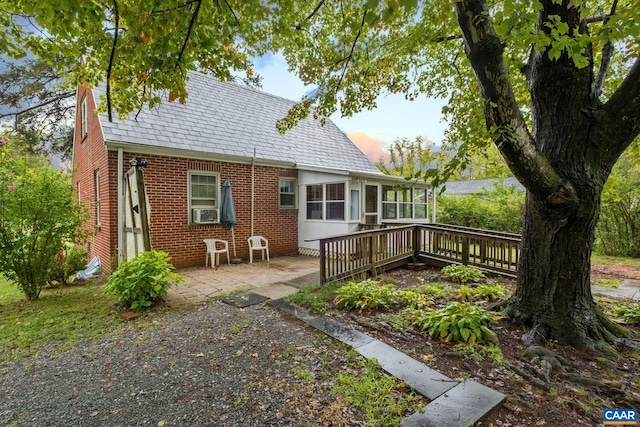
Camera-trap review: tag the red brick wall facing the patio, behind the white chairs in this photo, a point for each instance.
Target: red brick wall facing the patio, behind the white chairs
(166, 181)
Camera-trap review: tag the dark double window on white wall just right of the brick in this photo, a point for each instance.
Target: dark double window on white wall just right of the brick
(326, 201)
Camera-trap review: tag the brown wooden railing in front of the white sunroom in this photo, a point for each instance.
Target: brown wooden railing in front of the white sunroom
(368, 253)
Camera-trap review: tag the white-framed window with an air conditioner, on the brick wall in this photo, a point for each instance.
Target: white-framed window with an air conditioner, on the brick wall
(204, 191)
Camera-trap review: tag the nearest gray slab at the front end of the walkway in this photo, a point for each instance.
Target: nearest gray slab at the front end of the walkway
(463, 405)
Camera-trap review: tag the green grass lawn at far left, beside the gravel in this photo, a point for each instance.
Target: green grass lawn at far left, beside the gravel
(61, 318)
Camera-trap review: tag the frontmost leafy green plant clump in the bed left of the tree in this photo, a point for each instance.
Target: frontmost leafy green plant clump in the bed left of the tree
(456, 322)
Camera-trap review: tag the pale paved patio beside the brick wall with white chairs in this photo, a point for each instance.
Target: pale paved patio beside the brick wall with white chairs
(280, 277)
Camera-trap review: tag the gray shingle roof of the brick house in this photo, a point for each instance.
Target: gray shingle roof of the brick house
(227, 119)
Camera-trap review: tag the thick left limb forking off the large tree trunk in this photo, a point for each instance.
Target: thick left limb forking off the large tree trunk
(503, 118)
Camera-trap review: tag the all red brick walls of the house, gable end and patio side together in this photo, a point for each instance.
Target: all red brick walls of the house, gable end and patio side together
(166, 180)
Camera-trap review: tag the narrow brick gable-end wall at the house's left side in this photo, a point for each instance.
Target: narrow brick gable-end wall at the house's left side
(90, 154)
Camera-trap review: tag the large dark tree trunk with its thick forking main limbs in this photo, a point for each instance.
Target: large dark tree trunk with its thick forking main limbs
(563, 162)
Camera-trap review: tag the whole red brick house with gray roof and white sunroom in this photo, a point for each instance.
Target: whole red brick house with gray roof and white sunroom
(309, 183)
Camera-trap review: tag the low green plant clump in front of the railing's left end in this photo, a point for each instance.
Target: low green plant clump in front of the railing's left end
(367, 295)
